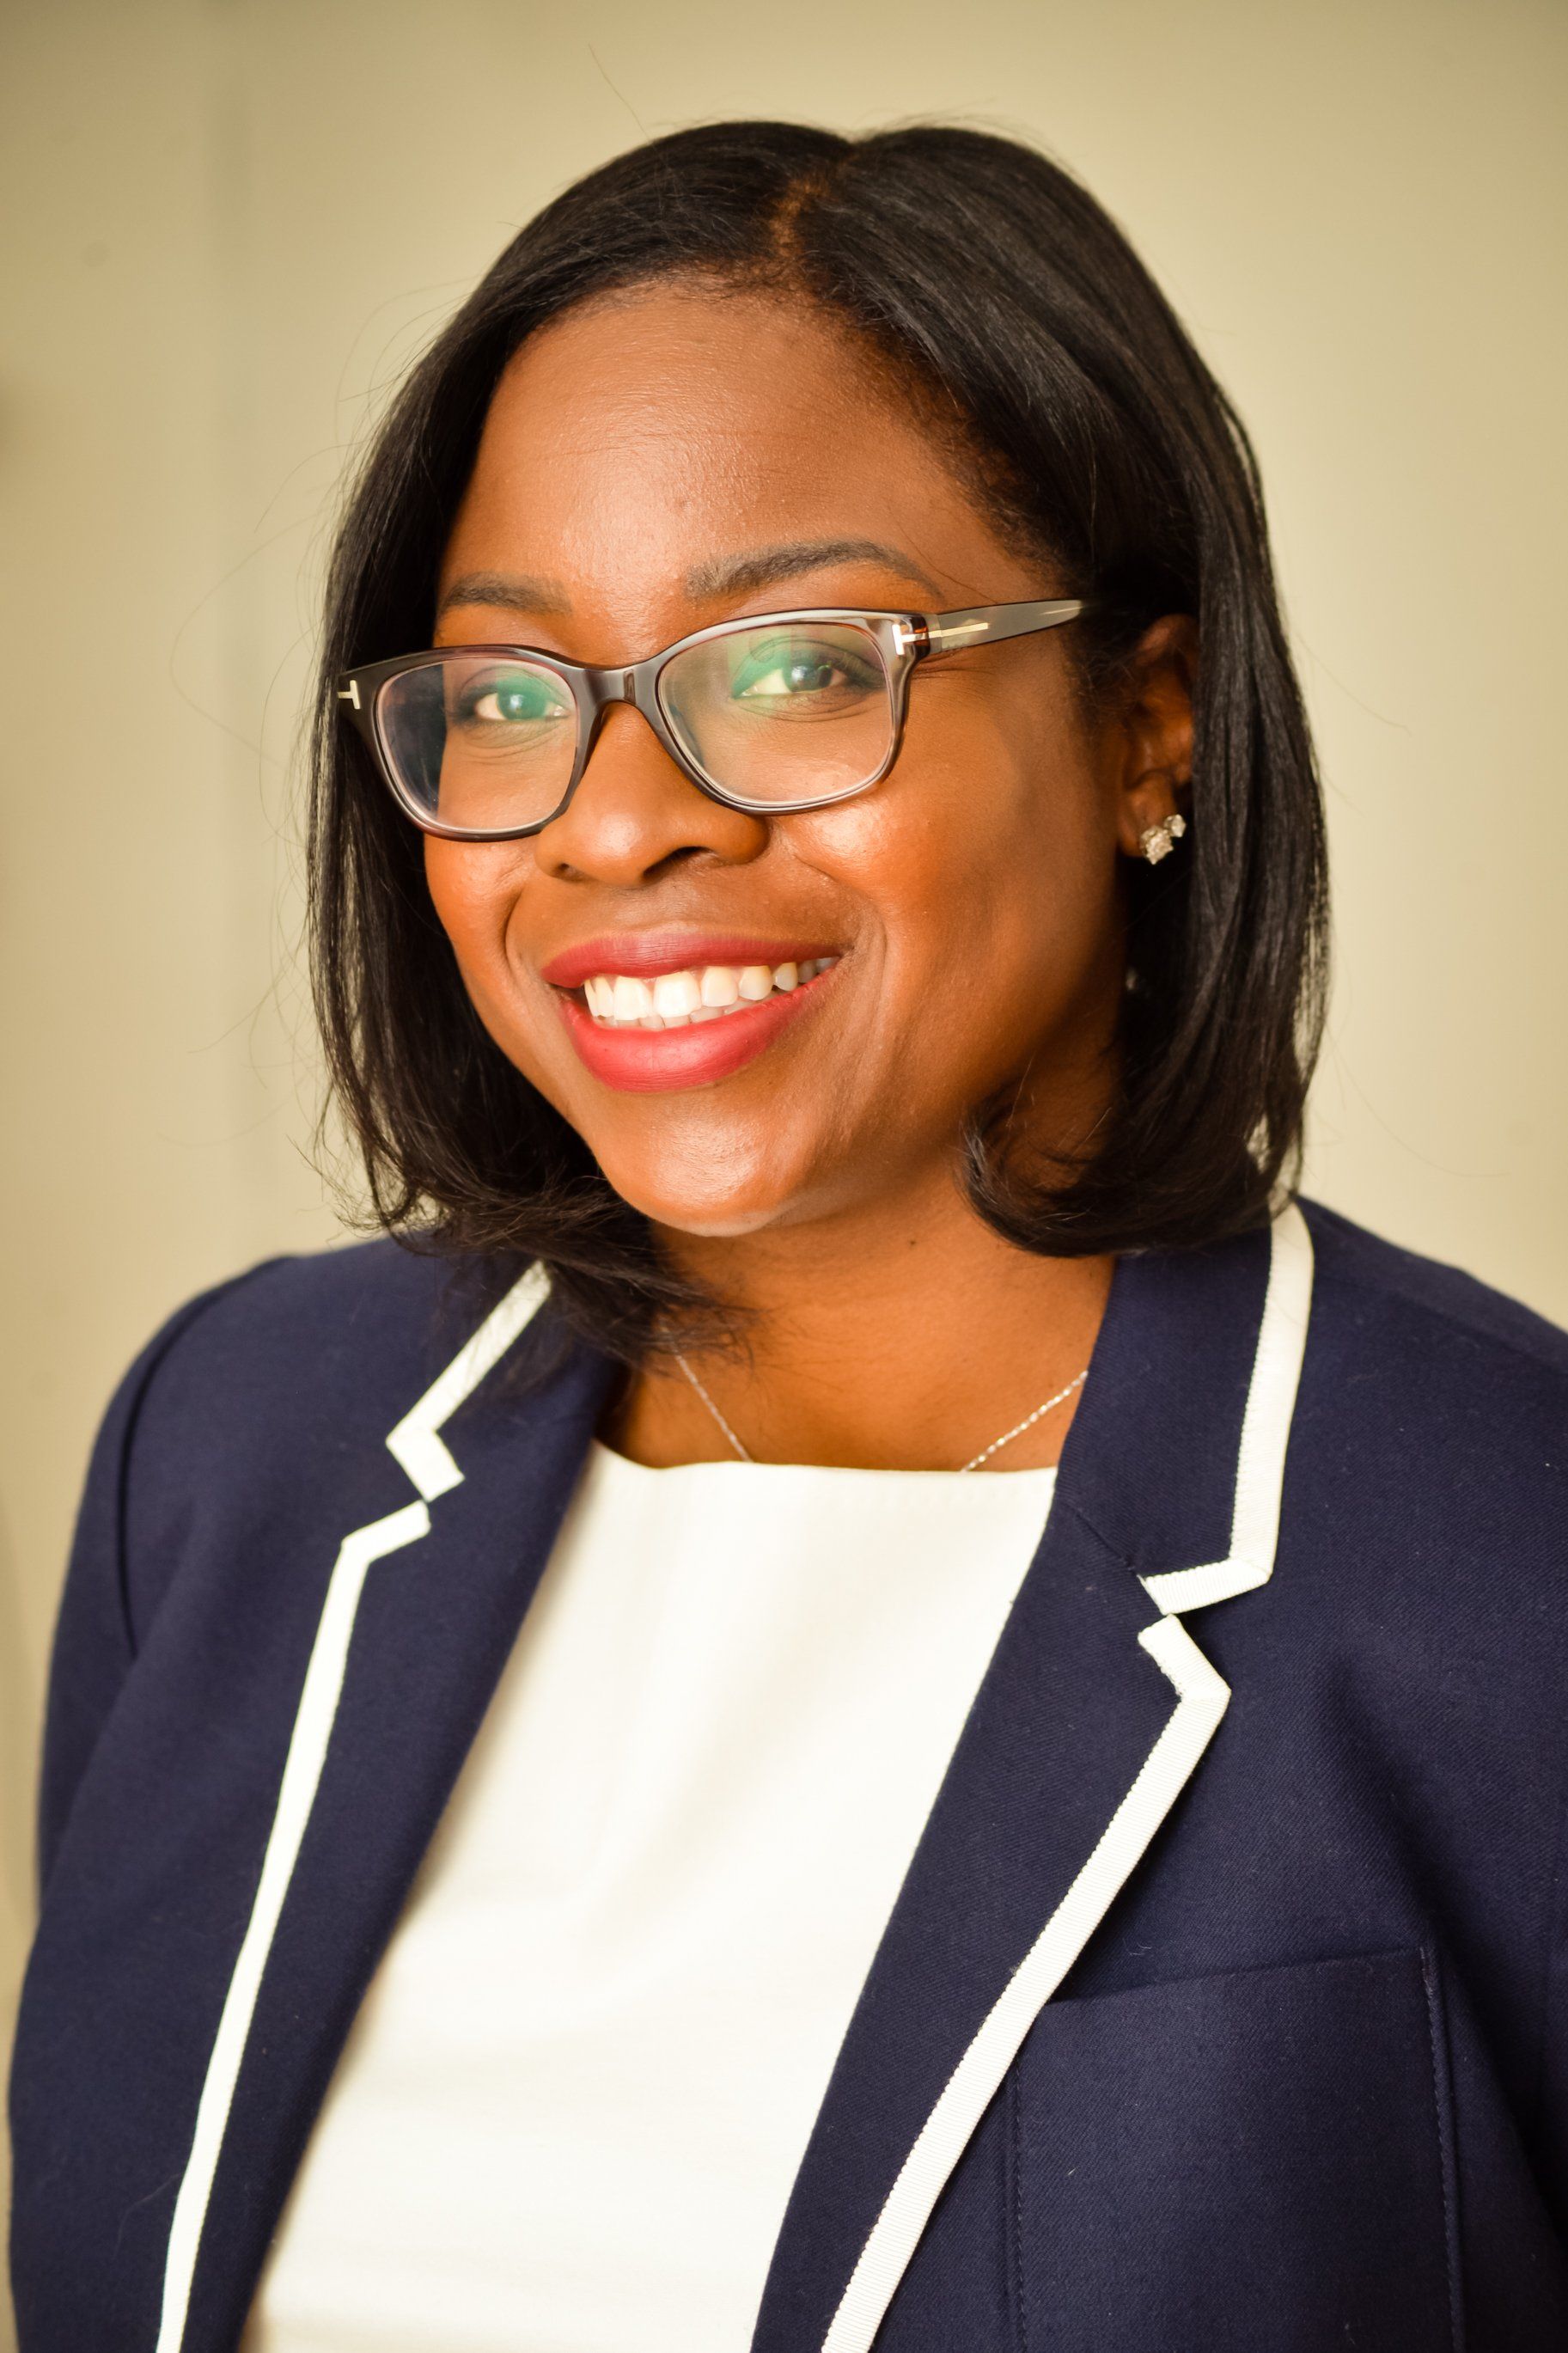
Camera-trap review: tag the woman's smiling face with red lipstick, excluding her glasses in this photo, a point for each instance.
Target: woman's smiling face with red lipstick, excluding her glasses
(674, 460)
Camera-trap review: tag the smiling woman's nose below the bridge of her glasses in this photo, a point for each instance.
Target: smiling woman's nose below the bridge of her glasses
(636, 815)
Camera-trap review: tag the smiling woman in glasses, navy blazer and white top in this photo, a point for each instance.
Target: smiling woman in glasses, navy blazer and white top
(603, 1787)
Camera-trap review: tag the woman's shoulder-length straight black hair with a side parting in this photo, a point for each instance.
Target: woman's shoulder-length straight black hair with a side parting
(1012, 305)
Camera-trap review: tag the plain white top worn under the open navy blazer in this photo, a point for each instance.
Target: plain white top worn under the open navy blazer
(577, 2095)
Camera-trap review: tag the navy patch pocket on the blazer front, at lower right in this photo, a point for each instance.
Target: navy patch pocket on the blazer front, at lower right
(1245, 2164)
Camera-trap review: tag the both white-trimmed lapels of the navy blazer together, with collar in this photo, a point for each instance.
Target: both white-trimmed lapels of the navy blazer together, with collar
(1087, 1726)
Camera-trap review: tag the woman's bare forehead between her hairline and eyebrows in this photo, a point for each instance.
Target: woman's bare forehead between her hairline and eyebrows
(638, 441)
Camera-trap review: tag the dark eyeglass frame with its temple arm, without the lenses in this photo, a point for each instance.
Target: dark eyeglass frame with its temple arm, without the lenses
(904, 639)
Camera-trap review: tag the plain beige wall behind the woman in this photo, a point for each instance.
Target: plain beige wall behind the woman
(222, 232)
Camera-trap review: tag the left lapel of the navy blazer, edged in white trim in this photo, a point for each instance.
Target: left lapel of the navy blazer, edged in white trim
(417, 1622)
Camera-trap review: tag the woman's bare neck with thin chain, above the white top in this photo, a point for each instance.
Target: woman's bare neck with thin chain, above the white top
(899, 1335)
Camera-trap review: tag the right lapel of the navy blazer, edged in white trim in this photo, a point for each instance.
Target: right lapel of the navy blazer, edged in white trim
(1092, 1719)
